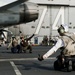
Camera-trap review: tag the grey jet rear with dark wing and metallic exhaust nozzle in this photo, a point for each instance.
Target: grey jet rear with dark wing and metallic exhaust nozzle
(17, 12)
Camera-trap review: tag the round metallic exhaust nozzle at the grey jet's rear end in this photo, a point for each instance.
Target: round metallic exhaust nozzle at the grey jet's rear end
(29, 12)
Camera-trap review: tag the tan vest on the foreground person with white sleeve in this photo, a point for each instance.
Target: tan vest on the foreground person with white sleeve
(69, 41)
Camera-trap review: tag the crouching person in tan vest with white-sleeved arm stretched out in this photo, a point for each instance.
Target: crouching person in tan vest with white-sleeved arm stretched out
(66, 42)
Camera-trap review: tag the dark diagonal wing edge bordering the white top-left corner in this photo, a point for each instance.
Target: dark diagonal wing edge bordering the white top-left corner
(11, 5)
